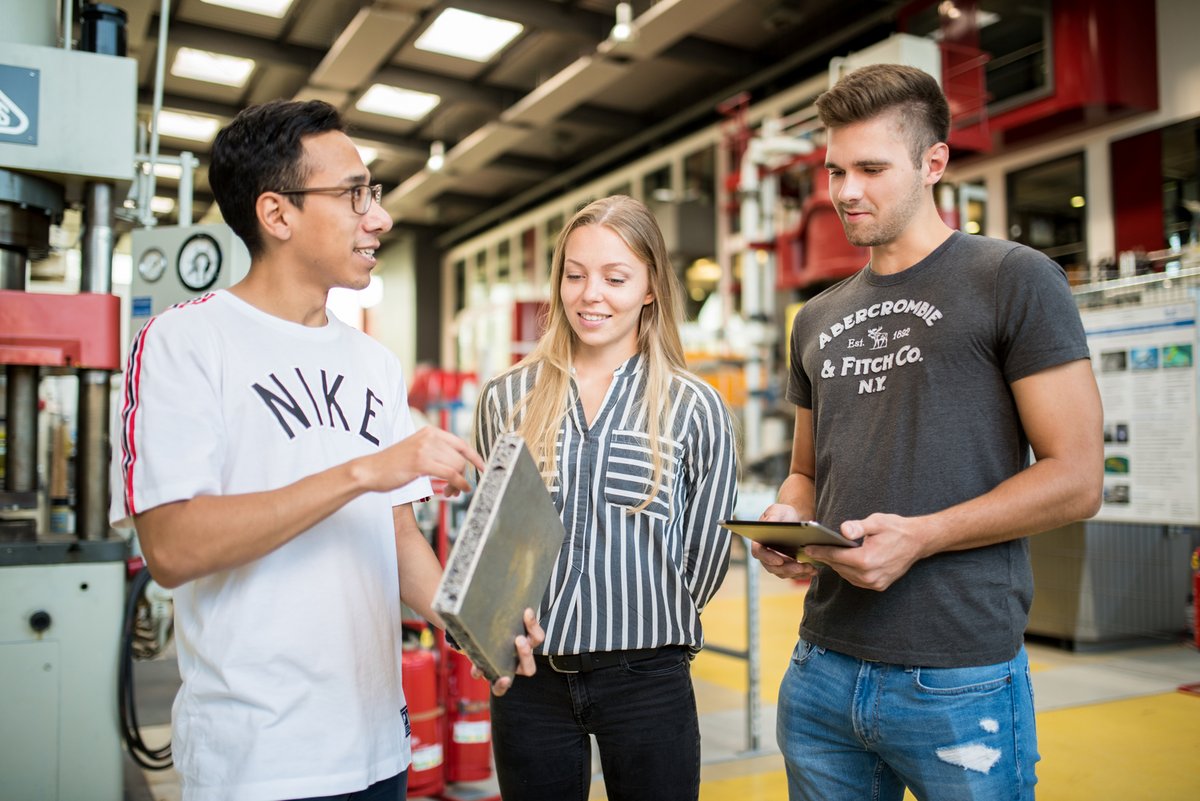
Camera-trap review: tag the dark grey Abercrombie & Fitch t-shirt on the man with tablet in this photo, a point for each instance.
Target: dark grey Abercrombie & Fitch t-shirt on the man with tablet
(908, 377)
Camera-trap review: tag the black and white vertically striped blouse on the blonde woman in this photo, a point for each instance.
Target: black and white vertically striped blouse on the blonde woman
(632, 581)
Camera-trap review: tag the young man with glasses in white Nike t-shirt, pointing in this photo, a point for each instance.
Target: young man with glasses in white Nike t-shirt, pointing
(269, 463)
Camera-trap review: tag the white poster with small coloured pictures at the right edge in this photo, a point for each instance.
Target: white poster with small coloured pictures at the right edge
(1144, 358)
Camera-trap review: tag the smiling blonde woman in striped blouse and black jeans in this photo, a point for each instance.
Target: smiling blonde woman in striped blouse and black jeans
(640, 459)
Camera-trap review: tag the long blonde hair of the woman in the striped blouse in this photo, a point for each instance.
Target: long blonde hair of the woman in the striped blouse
(542, 412)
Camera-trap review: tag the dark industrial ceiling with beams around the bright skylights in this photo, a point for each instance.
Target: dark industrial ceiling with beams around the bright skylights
(562, 103)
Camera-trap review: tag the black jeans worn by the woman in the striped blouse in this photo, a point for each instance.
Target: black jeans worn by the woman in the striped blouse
(644, 718)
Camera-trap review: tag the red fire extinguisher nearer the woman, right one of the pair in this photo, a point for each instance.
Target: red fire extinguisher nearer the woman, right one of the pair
(469, 724)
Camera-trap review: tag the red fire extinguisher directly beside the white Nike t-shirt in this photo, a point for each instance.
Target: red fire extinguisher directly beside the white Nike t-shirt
(427, 775)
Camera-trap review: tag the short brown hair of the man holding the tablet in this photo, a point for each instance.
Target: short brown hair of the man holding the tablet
(873, 91)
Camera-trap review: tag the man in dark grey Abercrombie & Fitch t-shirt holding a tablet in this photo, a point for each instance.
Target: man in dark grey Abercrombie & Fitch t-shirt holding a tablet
(922, 383)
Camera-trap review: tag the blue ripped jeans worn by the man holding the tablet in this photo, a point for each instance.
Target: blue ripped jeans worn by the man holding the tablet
(853, 730)
